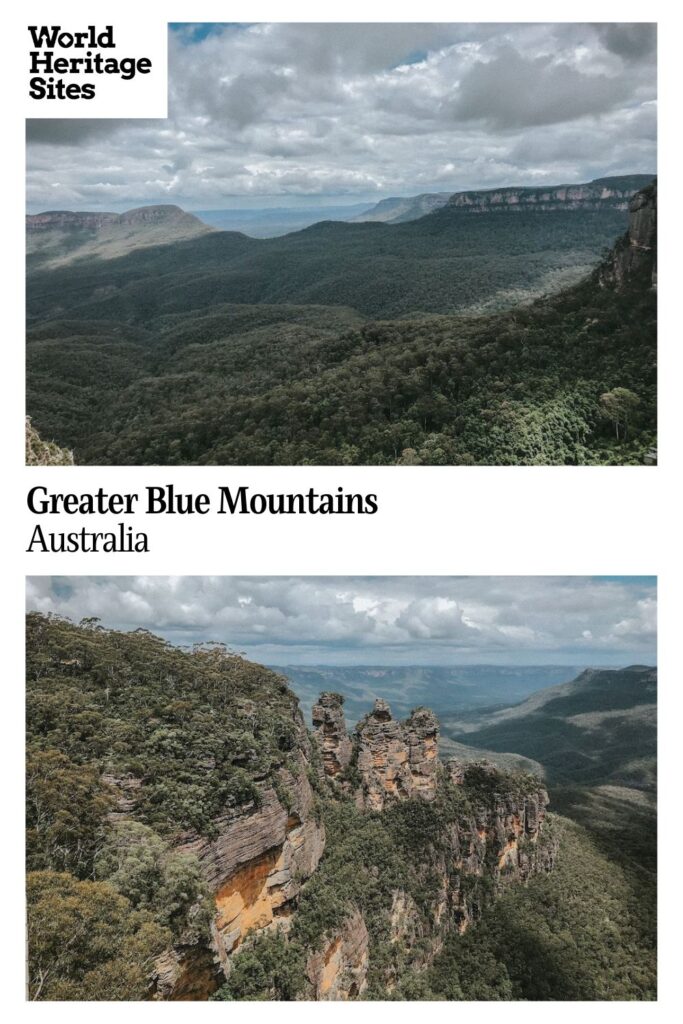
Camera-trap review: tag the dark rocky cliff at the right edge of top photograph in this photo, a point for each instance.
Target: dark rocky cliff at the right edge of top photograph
(634, 257)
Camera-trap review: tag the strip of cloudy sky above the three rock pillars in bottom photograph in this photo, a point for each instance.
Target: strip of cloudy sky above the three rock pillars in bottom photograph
(378, 620)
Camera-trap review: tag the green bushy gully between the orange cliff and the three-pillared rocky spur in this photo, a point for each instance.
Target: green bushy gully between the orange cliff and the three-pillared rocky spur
(368, 860)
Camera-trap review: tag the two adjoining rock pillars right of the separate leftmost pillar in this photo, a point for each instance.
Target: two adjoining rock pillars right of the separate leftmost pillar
(397, 760)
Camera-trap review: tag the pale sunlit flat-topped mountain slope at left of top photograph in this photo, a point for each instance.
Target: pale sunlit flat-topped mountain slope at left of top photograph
(59, 238)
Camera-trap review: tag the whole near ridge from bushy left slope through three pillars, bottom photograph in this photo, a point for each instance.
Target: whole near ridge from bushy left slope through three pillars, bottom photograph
(170, 802)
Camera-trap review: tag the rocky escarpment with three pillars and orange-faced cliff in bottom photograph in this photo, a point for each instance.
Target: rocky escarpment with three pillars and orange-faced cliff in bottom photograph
(460, 833)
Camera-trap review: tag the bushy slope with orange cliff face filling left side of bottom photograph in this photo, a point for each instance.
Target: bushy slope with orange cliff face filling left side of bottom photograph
(180, 782)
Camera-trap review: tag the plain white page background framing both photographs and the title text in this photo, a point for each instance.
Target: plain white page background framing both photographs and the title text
(432, 521)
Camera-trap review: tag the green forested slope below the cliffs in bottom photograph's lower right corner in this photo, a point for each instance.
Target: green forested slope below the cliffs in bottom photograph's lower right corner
(586, 931)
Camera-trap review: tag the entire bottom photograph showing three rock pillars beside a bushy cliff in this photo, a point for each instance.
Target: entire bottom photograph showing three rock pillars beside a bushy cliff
(341, 789)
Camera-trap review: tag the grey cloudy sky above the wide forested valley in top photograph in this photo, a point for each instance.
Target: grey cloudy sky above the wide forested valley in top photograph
(287, 115)
